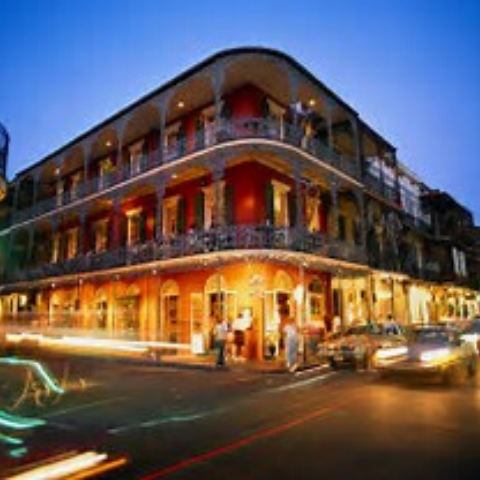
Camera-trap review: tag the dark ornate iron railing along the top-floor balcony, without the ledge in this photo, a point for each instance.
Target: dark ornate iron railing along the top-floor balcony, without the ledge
(225, 130)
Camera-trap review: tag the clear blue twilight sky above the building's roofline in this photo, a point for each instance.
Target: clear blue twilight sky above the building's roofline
(411, 68)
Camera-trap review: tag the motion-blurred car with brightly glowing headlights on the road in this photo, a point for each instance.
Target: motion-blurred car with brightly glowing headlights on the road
(434, 350)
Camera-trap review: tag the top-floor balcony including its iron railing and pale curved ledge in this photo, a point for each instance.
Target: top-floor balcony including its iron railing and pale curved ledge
(219, 134)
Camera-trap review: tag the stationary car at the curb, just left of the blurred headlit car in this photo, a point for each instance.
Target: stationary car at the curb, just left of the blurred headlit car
(358, 344)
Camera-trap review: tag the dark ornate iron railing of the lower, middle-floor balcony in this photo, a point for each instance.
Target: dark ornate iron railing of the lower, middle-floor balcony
(244, 237)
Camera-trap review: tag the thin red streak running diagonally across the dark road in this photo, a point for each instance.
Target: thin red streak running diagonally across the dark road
(246, 441)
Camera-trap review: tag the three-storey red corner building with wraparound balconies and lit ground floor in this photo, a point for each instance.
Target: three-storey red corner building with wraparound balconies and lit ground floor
(242, 188)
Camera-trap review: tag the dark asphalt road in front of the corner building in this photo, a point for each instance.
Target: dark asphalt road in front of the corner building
(192, 424)
